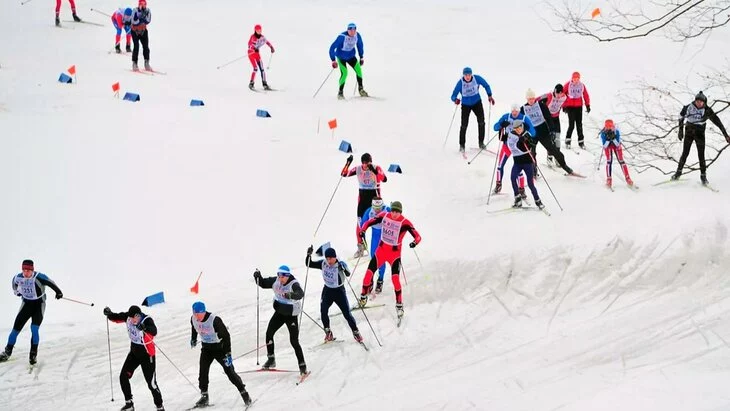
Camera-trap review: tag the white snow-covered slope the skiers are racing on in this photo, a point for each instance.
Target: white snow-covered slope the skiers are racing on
(618, 302)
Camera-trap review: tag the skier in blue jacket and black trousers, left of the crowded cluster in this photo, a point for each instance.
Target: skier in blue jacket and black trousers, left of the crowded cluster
(468, 86)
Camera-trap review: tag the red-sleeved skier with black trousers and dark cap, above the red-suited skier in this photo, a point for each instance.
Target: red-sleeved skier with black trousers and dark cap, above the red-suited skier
(369, 177)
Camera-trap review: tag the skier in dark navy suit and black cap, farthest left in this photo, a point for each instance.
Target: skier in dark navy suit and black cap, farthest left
(30, 285)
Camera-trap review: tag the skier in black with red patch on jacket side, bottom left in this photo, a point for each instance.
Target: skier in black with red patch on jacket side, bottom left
(142, 331)
